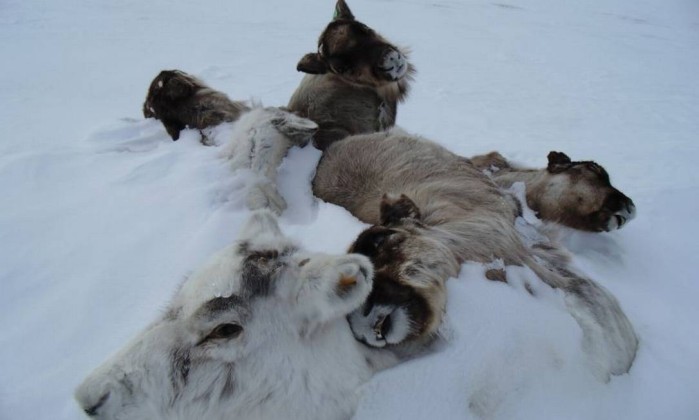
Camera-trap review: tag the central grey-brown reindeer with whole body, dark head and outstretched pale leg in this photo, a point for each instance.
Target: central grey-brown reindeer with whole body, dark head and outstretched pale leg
(448, 212)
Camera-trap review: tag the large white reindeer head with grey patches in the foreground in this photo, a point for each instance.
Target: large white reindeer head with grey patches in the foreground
(258, 332)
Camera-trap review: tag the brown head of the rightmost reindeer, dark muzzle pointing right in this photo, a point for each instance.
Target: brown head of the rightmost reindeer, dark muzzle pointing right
(580, 195)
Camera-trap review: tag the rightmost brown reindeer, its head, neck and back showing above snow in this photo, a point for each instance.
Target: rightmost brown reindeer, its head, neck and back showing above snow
(577, 194)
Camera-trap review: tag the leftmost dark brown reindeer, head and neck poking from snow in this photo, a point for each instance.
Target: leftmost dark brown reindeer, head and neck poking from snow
(181, 101)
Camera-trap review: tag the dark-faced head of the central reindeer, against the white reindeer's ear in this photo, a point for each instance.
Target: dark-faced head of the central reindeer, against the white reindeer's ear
(407, 301)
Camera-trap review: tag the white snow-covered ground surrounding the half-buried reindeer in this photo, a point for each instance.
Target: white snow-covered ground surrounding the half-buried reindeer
(103, 215)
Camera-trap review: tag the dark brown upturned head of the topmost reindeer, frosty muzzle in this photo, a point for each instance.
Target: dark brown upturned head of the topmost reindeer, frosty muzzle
(356, 53)
